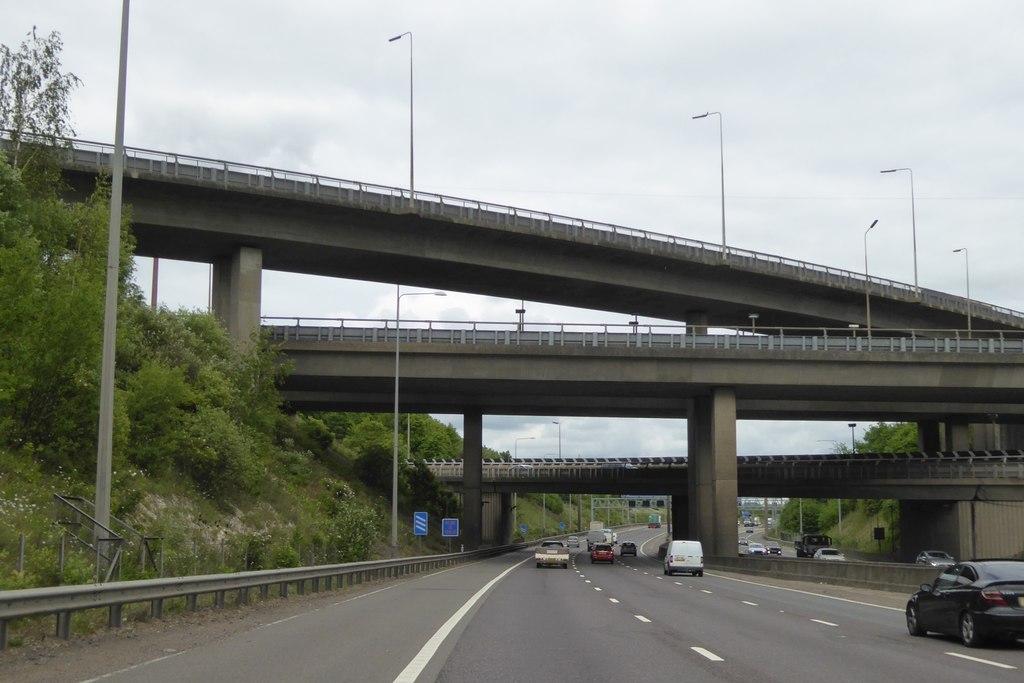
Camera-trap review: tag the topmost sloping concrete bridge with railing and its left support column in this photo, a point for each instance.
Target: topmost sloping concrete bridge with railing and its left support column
(244, 219)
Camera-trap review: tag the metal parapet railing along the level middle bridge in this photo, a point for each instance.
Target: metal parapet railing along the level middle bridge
(646, 336)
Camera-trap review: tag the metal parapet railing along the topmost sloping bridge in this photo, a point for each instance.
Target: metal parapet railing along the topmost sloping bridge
(232, 176)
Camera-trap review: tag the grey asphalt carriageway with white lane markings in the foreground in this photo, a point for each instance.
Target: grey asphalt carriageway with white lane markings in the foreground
(505, 620)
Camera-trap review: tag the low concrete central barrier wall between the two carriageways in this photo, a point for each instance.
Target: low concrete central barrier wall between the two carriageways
(877, 576)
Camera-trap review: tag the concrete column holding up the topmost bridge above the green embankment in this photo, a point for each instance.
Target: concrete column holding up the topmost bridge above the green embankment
(237, 289)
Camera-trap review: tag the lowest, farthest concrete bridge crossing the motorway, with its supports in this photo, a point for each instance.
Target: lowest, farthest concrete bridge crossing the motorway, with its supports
(971, 503)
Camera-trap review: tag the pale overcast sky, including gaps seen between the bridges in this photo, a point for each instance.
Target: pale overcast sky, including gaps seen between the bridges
(585, 109)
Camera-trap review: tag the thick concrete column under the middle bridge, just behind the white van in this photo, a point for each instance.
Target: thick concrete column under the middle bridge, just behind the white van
(713, 472)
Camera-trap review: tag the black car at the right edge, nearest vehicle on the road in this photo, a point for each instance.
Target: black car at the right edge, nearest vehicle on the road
(978, 602)
